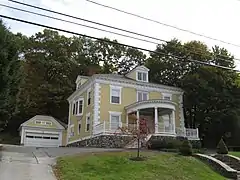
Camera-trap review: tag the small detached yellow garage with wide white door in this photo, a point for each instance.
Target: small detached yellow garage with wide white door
(43, 131)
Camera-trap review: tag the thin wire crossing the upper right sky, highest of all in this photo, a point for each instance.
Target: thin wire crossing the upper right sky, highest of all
(158, 22)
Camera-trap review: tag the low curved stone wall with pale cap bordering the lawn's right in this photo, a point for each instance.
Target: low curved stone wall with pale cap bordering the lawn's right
(218, 166)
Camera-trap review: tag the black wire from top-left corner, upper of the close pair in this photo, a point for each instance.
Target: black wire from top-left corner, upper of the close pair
(108, 26)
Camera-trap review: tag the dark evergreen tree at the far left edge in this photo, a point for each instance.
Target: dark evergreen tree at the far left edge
(10, 73)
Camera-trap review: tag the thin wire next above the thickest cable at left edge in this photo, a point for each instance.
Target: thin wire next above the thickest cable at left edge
(51, 17)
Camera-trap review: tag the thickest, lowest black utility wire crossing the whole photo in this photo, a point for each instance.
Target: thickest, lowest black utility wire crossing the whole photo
(114, 42)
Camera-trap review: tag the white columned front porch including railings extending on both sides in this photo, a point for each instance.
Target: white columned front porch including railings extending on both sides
(160, 117)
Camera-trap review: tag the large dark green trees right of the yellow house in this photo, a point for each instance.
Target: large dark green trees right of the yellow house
(212, 95)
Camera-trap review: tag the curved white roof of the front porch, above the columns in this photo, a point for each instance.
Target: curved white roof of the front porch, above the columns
(158, 103)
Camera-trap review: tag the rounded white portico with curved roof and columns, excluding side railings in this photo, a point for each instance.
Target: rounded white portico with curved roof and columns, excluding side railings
(159, 115)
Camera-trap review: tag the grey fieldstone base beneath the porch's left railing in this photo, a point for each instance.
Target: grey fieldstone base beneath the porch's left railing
(104, 141)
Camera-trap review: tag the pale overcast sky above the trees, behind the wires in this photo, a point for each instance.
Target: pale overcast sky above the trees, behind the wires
(214, 18)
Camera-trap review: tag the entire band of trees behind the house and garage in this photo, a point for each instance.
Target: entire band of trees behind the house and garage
(38, 73)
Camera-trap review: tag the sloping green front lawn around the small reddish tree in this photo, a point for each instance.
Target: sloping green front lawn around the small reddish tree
(117, 166)
